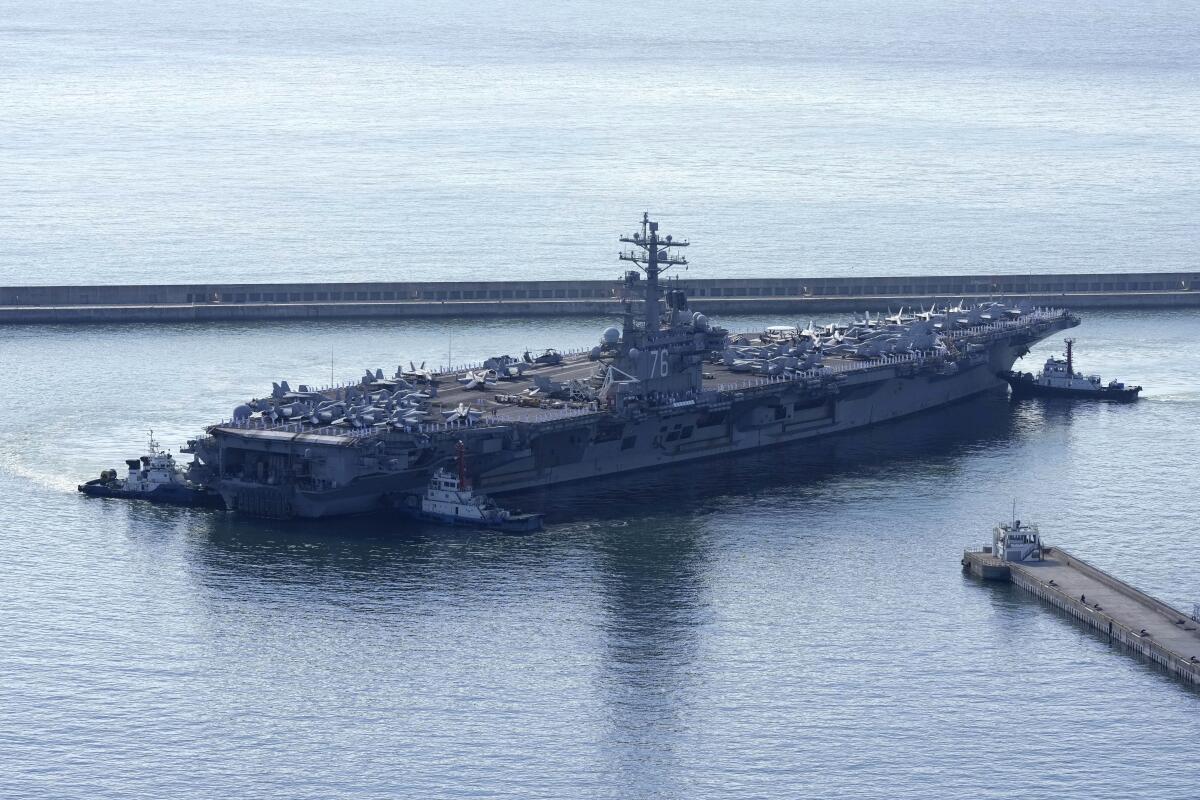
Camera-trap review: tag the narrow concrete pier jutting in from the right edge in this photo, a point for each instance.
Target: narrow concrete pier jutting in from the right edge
(1124, 613)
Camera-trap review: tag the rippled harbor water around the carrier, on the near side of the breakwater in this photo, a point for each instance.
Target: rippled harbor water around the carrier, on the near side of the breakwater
(789, 624)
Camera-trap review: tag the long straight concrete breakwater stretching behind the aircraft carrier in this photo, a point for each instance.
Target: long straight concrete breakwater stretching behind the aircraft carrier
(250, 302)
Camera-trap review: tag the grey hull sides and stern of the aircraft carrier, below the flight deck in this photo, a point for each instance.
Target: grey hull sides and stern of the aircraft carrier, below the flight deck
(304, 472)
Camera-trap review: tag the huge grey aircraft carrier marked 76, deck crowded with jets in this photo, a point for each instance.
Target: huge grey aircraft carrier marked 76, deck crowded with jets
(667, 387)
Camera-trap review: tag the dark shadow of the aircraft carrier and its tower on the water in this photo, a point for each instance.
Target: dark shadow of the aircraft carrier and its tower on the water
(632, 544)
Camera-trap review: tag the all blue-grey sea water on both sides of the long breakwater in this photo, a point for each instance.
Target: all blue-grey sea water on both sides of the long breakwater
(793, 623)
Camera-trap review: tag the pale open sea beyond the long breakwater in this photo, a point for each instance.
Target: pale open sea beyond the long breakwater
(379, 140)
